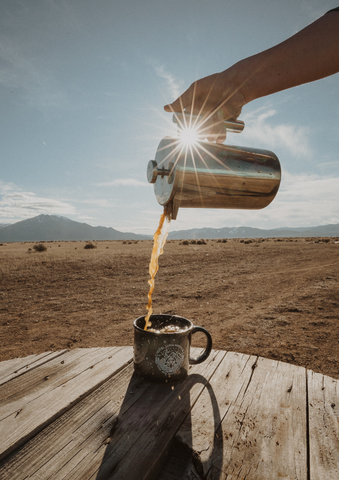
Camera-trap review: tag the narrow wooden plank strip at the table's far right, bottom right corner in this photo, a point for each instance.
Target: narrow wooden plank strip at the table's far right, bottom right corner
(323, 400)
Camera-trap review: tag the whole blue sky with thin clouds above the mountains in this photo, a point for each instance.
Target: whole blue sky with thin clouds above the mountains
(82, 89)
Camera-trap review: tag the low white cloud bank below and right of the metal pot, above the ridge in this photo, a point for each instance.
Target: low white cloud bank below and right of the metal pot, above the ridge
(303, 200)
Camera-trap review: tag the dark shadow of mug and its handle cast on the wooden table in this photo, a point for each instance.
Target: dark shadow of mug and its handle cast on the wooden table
(143, 442)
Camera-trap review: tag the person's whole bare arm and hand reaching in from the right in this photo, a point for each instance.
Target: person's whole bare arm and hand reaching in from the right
(309, 55)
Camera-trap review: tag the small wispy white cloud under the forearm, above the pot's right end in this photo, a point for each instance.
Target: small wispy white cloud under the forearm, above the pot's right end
(260, 131)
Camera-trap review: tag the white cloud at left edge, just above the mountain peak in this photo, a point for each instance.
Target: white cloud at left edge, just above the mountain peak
(16, 205)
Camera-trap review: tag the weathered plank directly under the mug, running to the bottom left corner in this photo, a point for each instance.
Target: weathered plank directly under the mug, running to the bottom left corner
(123, 429)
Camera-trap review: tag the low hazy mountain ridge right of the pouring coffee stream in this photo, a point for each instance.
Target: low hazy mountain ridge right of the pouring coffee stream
(248, 232)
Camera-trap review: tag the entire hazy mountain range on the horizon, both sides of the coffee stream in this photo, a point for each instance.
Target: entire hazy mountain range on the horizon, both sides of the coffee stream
(56, 228)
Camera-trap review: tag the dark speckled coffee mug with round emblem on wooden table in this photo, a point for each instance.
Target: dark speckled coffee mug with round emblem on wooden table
(165, 356)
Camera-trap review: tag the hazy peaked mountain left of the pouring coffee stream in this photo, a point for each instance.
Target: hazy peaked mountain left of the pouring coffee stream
(55, 228)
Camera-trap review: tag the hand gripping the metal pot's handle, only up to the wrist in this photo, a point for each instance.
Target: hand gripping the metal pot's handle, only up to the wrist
(216, 98)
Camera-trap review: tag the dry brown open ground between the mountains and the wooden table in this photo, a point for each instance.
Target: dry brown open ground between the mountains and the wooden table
(277, 299)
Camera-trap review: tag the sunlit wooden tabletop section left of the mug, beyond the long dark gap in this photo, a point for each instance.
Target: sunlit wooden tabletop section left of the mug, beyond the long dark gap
(33, 400)
